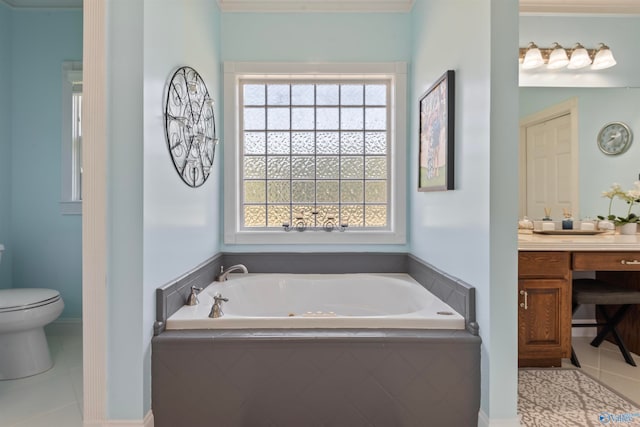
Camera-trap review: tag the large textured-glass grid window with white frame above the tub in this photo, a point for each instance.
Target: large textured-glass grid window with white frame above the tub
(316, 151)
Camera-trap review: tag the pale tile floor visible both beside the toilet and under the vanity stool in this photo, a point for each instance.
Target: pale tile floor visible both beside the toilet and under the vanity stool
(54, 398)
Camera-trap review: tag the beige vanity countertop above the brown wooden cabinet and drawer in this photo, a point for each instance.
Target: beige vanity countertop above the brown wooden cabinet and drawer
(529, 241)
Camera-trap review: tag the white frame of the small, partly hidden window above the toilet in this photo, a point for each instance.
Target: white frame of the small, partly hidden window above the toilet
(71, 199)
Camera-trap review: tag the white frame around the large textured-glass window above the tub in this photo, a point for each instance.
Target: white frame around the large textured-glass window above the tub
(235, 71)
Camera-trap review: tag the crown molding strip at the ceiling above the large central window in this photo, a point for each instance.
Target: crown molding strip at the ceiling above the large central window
(316, 5)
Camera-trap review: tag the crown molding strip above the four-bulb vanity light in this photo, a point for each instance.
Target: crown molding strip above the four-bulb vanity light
(613, 7)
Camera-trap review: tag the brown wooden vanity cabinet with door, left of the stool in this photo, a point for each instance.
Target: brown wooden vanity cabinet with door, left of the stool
(544, 308)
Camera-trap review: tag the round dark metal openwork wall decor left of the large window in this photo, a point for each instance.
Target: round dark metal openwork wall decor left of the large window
(190, 127)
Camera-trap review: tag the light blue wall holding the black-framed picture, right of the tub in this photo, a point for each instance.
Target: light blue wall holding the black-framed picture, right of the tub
(470, 232)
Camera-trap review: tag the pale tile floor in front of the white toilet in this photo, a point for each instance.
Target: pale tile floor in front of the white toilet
(51, 399)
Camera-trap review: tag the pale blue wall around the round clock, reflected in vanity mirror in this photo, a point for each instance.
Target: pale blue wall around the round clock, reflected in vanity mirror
(596, 107)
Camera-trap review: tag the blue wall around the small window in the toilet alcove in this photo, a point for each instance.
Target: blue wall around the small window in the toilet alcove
(46, 247)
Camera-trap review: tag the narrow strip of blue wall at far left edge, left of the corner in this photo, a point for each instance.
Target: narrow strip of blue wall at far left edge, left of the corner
(5, 143)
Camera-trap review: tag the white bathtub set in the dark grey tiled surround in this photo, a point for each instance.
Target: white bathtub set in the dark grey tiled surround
(263, 301)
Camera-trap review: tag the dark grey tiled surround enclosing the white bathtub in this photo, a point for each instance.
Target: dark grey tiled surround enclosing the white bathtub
(331, 377)
